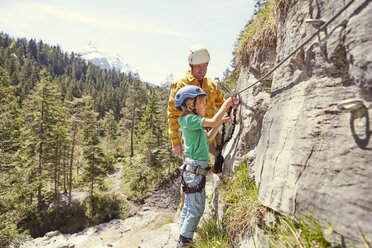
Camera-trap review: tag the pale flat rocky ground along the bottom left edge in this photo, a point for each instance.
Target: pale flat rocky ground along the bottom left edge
(116, 233)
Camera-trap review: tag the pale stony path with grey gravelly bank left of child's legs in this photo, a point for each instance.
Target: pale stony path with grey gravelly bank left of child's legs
(151, 225)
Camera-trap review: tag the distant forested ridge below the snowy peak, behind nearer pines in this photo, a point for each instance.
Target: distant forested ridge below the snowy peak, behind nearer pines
(24, 59)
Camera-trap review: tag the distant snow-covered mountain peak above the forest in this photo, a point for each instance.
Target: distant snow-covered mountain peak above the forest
(104, 61)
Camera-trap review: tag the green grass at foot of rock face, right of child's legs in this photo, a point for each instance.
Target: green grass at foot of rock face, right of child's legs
(243, 213)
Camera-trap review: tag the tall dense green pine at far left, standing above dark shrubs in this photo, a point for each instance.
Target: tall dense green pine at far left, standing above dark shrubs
(40, 134)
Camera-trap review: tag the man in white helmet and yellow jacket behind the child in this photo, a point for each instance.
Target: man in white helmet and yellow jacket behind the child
(198, 61)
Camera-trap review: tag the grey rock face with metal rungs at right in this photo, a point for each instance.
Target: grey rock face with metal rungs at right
(304, 151)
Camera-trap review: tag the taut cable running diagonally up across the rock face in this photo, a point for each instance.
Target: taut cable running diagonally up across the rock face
(299, 47)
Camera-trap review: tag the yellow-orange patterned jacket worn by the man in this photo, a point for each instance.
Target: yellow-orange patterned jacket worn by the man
(214, 100)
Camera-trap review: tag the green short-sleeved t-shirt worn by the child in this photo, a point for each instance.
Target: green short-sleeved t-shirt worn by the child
(194, 136)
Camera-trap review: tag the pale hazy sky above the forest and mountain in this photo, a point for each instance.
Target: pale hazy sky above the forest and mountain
(153, 36)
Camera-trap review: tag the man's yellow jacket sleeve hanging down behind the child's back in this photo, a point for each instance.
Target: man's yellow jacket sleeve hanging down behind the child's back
(173, 115)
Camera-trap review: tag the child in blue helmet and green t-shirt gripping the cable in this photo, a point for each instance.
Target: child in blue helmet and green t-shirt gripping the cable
(191, 100)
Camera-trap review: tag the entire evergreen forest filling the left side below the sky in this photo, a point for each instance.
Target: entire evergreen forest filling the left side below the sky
(63, 123)
